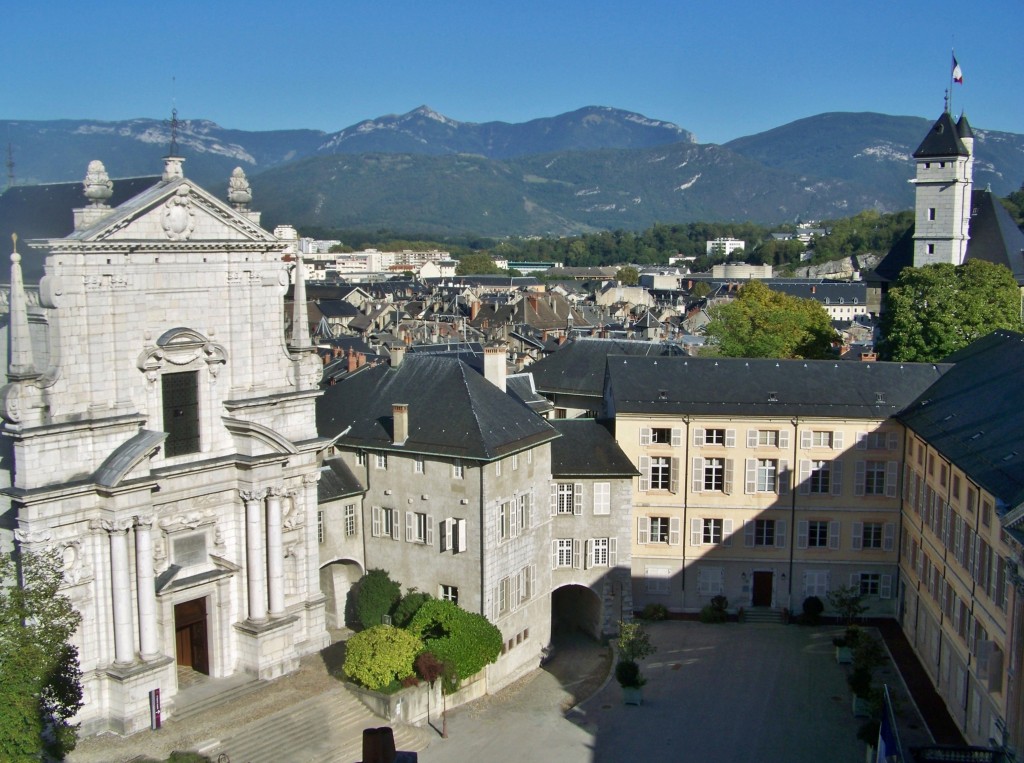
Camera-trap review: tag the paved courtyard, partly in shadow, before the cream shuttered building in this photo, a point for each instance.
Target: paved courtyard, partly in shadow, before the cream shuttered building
(715, 694)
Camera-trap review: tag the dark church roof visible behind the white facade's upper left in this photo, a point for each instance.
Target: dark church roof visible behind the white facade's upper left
(48, 213)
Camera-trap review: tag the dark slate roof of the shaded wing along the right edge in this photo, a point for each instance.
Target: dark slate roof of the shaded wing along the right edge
(973, 415)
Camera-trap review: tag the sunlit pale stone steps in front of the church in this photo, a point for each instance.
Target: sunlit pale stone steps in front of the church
(323, 730)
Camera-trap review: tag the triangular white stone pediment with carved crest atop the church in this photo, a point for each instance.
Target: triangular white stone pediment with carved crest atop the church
(177, 213)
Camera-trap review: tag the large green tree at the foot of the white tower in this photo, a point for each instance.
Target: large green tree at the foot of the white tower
(935, 311)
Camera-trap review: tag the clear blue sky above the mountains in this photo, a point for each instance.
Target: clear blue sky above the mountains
(721, 70)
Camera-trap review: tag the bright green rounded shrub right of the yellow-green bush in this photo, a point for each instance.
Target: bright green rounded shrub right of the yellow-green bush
(466, 641)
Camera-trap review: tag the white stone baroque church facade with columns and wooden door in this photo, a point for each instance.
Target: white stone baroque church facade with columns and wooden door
(159, 433)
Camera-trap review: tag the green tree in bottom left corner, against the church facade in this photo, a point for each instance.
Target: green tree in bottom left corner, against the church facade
(40, 680)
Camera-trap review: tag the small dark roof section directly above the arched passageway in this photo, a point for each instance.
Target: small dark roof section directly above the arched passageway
(587, 450)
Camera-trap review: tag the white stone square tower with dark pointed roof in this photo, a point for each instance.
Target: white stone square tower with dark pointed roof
(943, 208)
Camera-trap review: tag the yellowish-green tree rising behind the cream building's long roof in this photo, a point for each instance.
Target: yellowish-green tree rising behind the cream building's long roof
(760, 323)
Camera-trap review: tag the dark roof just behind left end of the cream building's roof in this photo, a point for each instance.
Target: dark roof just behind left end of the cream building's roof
(579, 366)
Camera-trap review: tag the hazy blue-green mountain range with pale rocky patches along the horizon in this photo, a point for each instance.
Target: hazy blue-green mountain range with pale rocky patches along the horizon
(595, 168)
